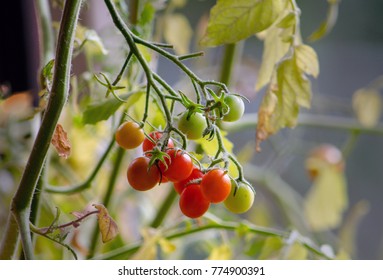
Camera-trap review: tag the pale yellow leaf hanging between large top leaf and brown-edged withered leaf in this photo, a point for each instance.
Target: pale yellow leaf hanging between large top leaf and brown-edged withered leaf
(274, 50)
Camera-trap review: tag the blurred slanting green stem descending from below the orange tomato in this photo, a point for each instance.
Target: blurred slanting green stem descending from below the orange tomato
(107, 198)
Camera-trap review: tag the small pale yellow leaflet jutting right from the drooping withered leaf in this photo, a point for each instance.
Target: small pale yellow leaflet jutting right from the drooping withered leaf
(307, 60)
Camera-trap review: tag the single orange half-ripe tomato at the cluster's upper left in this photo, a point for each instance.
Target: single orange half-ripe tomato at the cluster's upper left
(129, 135)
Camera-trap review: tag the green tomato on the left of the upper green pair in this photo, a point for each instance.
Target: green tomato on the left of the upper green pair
(192, 127)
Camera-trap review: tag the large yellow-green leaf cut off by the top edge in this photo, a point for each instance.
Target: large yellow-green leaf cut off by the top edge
(231, 21)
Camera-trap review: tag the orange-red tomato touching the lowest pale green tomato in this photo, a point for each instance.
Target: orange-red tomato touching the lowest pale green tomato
(216, 185)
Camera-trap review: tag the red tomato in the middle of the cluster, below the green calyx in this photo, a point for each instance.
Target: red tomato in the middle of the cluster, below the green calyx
(179, 166)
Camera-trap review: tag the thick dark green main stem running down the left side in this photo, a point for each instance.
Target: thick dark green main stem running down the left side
(21, 202)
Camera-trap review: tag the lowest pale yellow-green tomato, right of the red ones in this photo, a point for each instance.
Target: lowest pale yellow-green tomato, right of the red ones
(242, 200)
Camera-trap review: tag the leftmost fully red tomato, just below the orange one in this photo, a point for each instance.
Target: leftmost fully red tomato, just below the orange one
(140, 176)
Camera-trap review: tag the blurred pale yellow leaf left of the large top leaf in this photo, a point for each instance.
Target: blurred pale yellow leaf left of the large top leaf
(177, 32)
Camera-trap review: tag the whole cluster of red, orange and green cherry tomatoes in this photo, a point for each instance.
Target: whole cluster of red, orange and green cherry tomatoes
(162, 162)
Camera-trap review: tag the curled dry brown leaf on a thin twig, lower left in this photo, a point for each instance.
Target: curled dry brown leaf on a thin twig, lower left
(108, 227)
